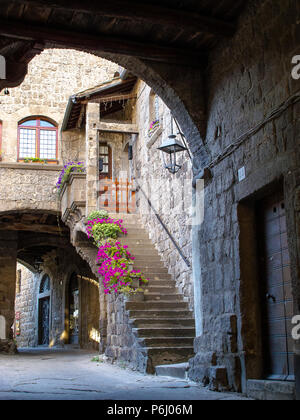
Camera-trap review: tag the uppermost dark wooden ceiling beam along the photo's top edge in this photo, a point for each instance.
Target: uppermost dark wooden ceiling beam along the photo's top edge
(138, 11)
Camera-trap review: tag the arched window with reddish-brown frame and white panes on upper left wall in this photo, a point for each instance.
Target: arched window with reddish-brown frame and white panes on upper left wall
(37, 139)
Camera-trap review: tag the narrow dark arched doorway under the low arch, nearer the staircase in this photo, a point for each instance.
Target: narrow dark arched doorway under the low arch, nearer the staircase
(74, 309)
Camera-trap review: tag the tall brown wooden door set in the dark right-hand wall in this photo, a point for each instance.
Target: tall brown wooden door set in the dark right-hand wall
(277, 305)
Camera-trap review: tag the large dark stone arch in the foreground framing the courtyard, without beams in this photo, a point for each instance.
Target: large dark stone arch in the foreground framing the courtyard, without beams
(175, 85)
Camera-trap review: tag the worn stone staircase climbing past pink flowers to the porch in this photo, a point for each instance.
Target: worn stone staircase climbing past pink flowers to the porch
(162, 323)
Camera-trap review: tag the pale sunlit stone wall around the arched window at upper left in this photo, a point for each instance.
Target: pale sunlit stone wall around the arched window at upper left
(53, 76)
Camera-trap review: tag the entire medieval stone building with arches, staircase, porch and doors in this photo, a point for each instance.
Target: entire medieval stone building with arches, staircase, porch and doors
(228, 81)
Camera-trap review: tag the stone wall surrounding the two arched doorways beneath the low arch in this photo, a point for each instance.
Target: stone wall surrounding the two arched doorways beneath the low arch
(26, 303)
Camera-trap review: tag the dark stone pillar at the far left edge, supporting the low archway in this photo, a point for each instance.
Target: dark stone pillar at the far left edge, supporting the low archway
(8, 268)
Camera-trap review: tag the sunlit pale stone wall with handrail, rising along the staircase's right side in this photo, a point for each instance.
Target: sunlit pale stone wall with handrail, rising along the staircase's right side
(171, 195)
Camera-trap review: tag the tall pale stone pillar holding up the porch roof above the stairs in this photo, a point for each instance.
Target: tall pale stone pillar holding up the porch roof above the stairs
(92, 158)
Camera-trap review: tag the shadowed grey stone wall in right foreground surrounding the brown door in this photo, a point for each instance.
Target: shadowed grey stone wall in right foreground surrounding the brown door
(246, 82)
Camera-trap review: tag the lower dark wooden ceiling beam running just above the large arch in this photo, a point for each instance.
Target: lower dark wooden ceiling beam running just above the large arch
(99, 43)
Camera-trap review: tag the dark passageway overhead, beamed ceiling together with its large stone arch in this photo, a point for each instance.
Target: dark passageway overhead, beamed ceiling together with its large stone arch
(166, 62)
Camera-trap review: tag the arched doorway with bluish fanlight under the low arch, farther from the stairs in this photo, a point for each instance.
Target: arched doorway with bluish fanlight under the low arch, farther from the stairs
(44, 312)
